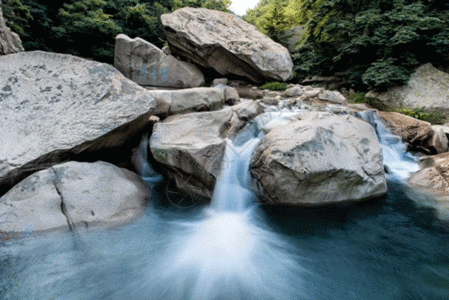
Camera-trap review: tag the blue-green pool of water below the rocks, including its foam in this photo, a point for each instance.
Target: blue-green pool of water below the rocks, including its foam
(384, 249)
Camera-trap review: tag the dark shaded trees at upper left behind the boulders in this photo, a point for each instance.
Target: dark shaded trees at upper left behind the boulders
(88, 27)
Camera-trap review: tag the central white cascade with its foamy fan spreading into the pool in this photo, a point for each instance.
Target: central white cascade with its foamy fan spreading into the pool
(228, 253)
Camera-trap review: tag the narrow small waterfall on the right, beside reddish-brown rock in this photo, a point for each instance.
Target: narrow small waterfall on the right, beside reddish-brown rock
(400, 162)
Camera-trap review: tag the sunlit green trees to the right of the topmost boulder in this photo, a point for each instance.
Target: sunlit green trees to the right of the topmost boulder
(374, 43)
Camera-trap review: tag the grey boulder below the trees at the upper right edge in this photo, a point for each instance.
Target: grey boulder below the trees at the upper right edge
(427, 88)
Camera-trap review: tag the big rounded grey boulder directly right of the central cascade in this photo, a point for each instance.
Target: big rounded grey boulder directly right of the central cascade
(318, 159)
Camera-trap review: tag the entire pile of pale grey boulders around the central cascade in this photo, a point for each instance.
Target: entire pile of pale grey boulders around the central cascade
(72, 129)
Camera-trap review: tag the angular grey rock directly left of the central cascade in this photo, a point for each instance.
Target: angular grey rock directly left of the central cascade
(192, 146)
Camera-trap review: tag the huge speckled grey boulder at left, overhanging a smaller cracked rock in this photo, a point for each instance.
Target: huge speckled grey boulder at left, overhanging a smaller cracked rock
(54, 102)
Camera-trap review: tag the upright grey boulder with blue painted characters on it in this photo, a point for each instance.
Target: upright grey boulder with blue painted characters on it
(147, 65)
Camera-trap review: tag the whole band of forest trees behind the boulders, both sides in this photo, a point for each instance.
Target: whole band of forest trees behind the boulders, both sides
(373, 44)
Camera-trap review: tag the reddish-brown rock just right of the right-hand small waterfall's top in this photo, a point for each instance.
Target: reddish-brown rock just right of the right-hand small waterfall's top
(418, 134)
